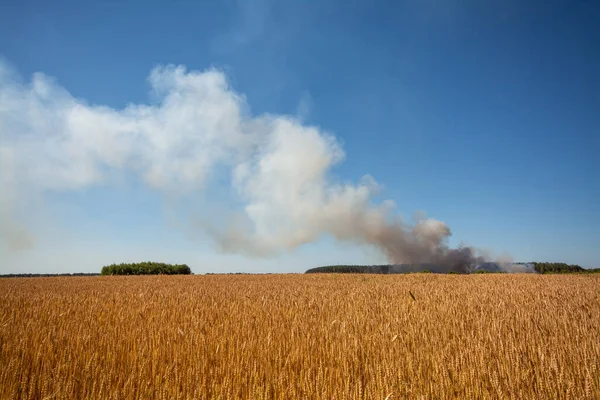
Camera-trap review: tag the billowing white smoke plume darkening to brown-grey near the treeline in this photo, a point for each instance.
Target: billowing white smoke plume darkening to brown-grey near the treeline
(279, 167)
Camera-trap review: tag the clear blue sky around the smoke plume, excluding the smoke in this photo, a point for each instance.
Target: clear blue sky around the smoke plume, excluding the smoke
(484, 114)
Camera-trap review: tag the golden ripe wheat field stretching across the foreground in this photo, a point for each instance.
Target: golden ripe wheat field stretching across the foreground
(301, 336)
